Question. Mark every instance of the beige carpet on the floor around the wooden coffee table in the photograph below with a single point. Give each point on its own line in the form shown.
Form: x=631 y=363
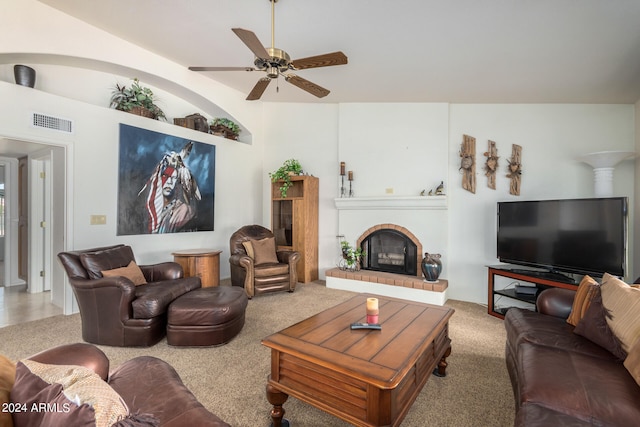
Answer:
x=230 y=380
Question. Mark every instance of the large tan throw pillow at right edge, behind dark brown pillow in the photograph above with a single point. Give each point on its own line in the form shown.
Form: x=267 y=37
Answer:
x=623 y=304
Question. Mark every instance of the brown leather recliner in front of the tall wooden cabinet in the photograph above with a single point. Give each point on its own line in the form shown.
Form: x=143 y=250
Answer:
x=263 y=272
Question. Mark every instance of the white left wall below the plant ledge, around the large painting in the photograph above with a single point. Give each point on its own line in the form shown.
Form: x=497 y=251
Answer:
x=92 y=169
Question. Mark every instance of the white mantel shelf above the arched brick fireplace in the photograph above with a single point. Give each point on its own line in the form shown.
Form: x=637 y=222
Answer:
x=391 y=202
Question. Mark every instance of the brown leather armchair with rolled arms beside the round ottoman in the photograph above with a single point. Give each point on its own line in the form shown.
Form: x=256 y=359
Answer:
x=113 y=310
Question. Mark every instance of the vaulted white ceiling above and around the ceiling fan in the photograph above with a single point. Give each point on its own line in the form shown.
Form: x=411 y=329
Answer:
x=460 y=51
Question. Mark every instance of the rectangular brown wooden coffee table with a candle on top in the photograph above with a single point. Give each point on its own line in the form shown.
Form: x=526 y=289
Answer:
x=365 y=377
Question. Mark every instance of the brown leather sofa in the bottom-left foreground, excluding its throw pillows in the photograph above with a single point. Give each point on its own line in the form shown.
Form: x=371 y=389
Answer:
x=150 y=387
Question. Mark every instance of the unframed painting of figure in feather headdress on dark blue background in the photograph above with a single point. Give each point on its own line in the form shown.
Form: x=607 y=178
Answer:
x=166 y=184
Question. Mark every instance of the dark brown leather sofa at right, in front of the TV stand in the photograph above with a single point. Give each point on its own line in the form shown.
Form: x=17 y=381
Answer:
x=561 y=378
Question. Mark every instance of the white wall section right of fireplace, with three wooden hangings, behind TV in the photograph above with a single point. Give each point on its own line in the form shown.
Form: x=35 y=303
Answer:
x=552 y=137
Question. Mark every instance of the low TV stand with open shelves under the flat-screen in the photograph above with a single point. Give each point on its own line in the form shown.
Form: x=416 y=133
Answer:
x=530 y=300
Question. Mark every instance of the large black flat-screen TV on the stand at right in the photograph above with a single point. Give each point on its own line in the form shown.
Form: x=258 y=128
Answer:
x=580 y=236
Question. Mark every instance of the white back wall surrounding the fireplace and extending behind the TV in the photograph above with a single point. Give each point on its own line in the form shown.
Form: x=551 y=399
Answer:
x=425 y=147
